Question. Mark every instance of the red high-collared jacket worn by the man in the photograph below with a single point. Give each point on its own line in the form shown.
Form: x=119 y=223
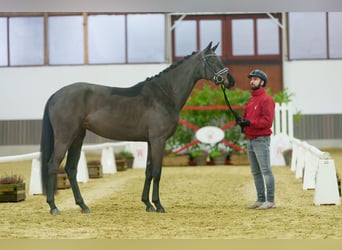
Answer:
x=260 y=112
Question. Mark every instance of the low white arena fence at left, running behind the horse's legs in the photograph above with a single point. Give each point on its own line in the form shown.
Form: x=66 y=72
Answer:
x=139 y=150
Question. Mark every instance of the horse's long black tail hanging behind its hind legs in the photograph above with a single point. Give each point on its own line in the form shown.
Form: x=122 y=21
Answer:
x=46 y=145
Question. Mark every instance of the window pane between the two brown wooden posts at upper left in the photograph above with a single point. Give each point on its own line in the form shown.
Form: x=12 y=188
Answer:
x=66 y=45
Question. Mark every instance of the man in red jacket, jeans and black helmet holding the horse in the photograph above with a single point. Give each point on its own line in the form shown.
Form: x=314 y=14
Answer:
x=256 y=123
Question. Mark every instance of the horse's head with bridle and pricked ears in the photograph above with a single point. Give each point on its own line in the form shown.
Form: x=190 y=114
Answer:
x=218 y=73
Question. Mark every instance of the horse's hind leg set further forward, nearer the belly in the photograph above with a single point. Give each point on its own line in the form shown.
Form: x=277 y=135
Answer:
x=74 y=153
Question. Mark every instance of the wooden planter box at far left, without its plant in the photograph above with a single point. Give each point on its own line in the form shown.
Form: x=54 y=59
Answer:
x=12 y=192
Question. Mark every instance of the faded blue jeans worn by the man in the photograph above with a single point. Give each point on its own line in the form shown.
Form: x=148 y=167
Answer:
x=259 y=159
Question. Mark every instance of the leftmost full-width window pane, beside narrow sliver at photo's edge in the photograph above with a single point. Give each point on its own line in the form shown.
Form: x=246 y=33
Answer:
x=26 y=36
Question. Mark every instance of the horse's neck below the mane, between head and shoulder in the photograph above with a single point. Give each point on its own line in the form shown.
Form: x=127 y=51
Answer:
x=181 y=80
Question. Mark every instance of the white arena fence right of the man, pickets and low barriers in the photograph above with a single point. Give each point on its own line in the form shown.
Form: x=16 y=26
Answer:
x=315 y=167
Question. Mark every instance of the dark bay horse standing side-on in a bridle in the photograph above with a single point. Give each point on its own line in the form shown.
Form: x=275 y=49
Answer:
x=146 y=112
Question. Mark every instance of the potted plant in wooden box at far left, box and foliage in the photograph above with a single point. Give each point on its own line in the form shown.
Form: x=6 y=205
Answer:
x=12 y=188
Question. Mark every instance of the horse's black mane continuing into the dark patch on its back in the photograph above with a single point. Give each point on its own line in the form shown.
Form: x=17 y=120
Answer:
x=135 y=90
